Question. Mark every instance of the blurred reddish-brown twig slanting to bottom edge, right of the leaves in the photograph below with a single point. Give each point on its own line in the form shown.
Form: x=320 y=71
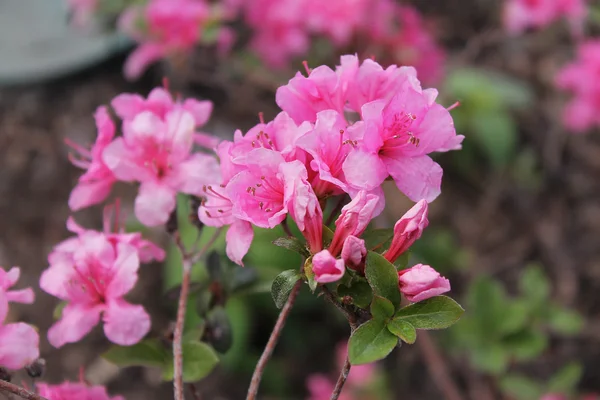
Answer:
x=437 y=367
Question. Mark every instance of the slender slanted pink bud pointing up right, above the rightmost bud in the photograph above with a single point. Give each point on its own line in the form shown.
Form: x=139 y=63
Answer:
x=407 y=230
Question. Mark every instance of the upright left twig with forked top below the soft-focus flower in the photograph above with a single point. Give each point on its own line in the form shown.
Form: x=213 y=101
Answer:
x=188 y=260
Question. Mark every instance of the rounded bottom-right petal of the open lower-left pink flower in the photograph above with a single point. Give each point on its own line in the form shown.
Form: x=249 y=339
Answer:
x=125 y=324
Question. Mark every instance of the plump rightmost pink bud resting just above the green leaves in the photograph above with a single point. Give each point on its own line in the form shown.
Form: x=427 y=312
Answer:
x=422 y=282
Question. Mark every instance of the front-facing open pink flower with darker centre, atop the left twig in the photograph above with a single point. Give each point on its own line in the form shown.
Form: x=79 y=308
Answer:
x=156 y=153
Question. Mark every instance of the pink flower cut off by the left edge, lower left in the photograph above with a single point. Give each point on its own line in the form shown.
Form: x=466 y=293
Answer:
x=19 y=342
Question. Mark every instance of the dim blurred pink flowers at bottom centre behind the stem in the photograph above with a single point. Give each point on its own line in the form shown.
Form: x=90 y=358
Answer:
x=321 y=386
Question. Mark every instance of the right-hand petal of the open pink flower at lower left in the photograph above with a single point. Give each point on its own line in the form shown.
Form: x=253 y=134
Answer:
x=125 y=271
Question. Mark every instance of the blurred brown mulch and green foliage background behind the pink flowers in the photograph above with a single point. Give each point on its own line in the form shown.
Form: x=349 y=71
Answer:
x=516 y=228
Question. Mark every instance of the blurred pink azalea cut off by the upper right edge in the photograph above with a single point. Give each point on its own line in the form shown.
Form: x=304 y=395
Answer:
x=579 y=78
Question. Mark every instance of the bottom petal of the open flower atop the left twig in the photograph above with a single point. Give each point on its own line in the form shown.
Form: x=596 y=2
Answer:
x=154 y=203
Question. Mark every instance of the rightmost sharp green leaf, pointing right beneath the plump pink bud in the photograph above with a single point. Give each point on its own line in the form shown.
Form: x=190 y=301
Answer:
x=435 y=313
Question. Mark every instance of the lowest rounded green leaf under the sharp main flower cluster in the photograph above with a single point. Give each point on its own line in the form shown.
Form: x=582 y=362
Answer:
x=370 y=342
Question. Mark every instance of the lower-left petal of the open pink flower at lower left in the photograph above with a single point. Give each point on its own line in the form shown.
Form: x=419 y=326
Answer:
x=77 y=321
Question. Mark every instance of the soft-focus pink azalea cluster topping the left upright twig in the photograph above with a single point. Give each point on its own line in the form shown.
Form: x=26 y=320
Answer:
x=155 y=150
